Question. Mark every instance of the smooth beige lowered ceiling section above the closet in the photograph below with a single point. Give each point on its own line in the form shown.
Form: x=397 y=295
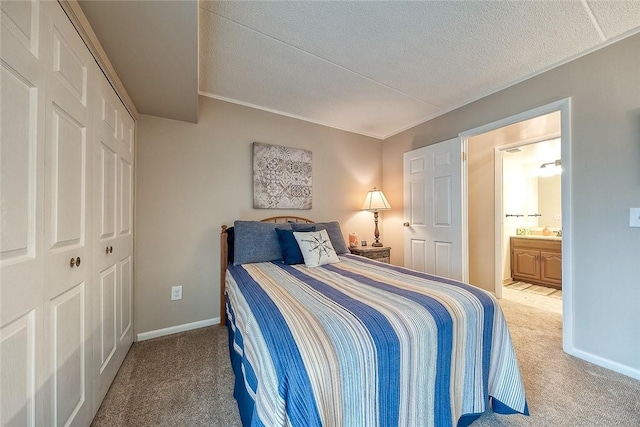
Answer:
x=153 y=47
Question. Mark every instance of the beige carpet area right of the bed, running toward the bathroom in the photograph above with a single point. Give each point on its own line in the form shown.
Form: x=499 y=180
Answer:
x=563 y=390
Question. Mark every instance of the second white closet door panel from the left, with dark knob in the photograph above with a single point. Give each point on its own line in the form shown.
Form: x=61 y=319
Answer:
x=68 y=181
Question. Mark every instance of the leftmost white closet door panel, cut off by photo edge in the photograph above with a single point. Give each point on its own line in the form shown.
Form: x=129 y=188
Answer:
x=22 y=213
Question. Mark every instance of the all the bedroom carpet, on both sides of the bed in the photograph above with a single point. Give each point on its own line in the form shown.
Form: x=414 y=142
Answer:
x=186 y=380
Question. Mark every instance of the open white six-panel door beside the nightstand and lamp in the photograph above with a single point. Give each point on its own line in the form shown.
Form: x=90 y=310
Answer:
x=433 y=209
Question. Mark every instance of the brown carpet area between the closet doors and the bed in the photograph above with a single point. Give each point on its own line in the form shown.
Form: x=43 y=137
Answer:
x=179 y=380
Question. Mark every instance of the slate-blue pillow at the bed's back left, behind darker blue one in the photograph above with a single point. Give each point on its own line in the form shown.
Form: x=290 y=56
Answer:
x=255 y=241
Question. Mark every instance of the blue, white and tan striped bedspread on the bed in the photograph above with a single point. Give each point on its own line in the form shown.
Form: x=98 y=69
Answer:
x=362 y=343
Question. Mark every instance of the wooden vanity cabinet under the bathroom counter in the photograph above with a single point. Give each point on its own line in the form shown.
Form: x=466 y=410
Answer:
x=537 y=261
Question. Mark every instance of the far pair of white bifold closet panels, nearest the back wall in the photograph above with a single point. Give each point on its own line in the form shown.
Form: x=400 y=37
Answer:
x=112 y=297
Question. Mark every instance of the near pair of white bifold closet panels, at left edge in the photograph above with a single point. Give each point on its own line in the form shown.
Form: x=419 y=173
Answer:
x=46 y=217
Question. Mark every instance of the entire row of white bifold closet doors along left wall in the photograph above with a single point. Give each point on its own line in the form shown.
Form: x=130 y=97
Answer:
x=66 y=204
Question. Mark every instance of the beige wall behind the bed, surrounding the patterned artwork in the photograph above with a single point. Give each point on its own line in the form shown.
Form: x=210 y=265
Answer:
x=192 y=178
